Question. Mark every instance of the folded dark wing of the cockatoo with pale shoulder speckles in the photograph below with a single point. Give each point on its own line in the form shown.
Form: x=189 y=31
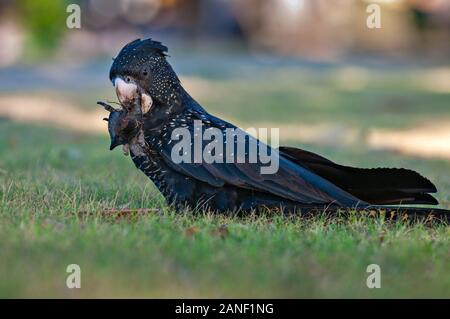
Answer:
x=290 y=181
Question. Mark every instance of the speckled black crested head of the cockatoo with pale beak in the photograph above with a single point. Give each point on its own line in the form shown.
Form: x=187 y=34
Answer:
x=141 y=71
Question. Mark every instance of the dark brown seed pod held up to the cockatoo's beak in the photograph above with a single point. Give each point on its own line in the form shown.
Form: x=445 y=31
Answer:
x=122 y=126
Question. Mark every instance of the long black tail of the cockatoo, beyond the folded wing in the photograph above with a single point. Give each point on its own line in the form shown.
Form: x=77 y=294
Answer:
x=378 y=186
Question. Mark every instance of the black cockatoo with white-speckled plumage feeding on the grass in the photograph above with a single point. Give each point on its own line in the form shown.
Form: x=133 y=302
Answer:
x=154 y=105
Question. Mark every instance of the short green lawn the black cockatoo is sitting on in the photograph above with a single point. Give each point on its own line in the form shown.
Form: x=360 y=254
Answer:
x=56 y=184
